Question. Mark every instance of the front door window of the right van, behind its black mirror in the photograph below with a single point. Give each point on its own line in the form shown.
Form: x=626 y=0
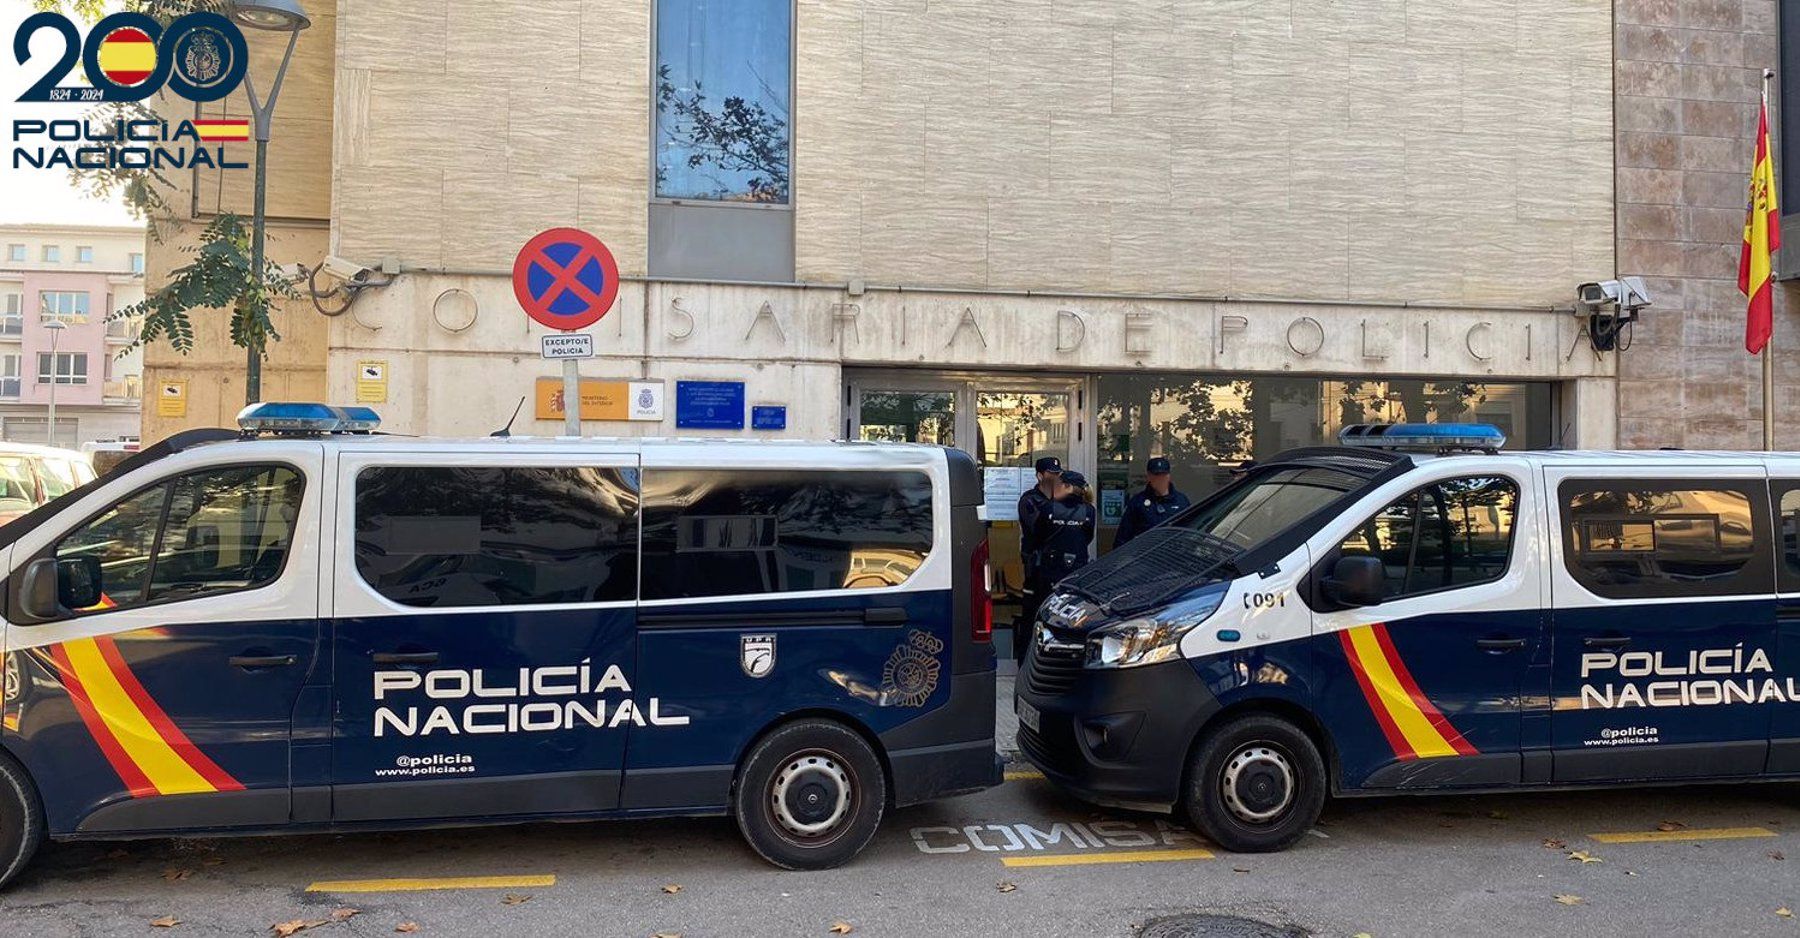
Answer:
x=1444 y=536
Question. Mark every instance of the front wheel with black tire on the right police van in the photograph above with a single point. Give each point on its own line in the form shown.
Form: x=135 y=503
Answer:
x=1255 y=786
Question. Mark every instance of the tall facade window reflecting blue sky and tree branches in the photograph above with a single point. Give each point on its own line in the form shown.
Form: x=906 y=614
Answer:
x=723 y=96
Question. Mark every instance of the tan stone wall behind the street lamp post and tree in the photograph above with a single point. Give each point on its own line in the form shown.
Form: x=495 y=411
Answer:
x=300 y=203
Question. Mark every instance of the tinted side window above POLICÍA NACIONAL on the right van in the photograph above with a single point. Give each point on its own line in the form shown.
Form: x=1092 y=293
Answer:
x=1662 y=539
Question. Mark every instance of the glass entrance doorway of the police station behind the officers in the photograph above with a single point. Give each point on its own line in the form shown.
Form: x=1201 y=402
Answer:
x=1007 y=422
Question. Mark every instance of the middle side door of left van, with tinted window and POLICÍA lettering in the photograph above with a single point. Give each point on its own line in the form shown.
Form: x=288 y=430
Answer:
x=483 y=633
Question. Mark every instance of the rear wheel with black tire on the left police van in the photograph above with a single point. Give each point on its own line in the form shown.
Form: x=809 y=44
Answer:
x=811 y=795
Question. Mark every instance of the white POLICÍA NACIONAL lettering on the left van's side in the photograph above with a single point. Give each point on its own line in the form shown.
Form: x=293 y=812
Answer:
x=507 y=703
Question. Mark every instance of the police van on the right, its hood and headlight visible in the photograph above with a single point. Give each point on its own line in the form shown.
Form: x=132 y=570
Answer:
x=1416 y=611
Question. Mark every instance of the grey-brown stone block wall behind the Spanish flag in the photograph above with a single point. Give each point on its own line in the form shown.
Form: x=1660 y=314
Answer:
x=1689 y=77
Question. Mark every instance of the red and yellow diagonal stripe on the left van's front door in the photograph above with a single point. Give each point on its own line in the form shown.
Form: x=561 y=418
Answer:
x=150 y=753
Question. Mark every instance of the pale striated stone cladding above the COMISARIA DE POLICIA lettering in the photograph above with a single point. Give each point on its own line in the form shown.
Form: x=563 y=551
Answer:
x=1457 y=150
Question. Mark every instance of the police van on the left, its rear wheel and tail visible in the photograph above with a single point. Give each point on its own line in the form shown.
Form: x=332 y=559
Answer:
x=310 y=627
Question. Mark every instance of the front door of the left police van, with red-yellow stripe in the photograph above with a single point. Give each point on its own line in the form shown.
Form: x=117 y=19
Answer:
x=166 y=703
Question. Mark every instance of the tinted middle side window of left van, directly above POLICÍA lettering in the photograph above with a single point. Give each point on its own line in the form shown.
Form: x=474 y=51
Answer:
x=487 y=536
